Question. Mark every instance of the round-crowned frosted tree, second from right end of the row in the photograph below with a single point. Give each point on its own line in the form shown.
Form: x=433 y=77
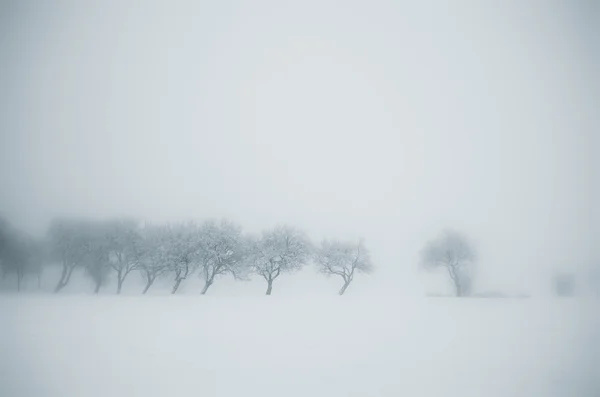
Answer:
x=281 y=250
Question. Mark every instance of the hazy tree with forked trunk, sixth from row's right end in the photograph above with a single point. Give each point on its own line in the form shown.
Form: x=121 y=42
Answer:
x=124 y=247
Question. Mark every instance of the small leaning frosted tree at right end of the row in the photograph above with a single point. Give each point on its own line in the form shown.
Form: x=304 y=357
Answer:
x=343 y=259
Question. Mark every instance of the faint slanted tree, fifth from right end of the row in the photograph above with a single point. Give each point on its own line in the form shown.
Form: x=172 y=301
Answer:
x=154 y=254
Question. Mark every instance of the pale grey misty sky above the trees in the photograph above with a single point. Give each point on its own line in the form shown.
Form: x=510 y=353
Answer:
x=379 y=119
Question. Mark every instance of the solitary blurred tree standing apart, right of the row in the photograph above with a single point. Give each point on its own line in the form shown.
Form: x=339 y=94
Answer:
x=451 y=250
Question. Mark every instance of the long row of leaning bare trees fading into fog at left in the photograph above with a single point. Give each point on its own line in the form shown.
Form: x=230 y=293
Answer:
x=177 y=250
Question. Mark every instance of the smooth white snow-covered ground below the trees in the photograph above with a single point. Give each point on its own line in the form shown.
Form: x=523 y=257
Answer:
x=109 y=346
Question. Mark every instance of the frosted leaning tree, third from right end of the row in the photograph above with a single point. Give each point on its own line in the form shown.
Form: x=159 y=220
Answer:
x=221 y=251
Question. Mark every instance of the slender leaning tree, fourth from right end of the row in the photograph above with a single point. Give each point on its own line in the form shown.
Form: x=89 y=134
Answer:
x=183 y=251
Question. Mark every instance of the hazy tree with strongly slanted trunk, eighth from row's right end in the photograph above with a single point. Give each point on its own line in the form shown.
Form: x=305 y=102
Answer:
x=66 y=242
